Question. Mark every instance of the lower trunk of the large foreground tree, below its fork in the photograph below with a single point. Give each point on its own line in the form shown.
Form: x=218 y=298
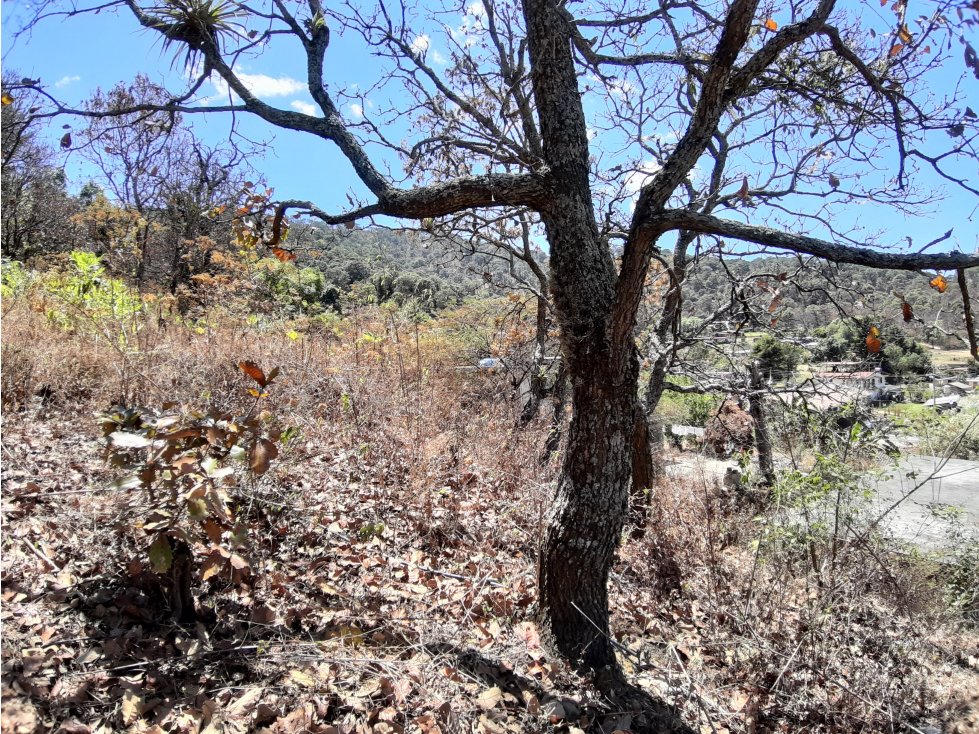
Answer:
x=585 y=522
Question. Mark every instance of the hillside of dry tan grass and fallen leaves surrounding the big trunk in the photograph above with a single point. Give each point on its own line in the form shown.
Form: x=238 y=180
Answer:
x=394 y=547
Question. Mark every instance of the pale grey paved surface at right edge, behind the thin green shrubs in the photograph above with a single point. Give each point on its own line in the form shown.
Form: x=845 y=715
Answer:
x=926 y=483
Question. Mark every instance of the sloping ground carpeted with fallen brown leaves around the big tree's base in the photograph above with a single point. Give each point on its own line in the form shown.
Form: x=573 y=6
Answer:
x=391 y=592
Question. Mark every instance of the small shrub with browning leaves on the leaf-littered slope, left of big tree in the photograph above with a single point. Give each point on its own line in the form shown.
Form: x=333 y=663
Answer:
x=189 y=466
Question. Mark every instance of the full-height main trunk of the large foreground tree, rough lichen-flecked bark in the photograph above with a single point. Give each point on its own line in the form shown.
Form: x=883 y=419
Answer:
x=592 y=494
